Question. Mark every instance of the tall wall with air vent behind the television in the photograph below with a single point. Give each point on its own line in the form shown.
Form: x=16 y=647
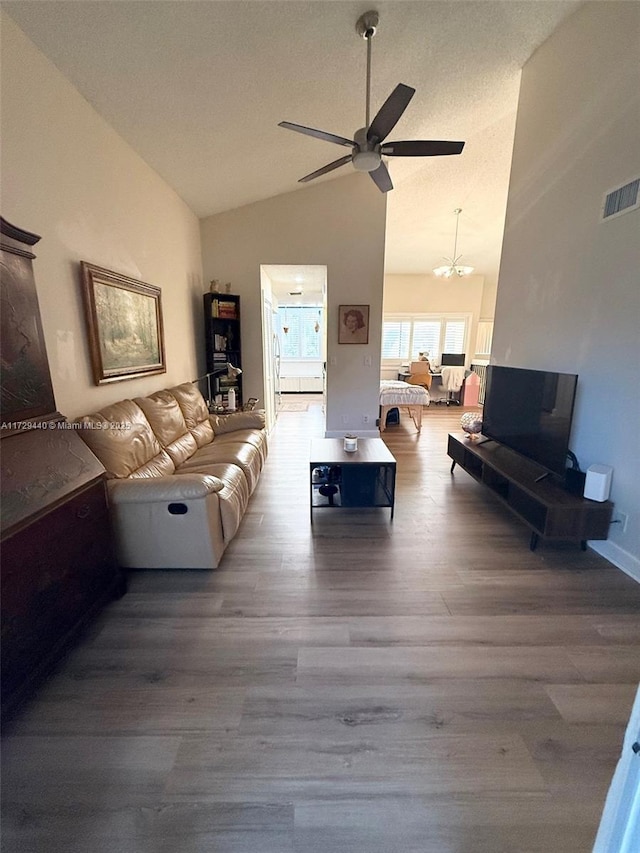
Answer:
x=569 y=286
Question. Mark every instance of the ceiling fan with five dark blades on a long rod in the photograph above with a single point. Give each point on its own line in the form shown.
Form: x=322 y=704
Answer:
x=367 y=145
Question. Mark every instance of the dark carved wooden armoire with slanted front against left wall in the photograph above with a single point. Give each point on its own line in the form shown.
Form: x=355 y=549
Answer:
x=57 y=560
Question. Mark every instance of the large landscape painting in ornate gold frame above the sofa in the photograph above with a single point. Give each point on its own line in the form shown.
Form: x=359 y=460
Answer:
x=124 y=325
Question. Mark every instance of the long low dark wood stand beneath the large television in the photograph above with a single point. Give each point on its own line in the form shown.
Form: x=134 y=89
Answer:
x=545 y=507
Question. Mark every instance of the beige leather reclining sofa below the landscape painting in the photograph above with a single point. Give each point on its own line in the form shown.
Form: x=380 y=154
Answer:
x=179 y=479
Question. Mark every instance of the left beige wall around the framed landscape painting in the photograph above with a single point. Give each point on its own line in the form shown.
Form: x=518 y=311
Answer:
x=67 y=176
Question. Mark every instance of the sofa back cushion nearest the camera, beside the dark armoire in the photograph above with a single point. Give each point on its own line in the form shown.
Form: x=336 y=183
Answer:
x=122 y=439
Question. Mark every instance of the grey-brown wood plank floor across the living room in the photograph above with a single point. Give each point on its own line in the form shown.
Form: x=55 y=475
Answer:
x=427 y=685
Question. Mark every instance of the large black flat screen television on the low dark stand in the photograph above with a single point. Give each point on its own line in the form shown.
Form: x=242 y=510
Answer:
x=530 y=411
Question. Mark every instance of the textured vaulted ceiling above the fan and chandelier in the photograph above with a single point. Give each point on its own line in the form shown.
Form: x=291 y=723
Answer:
x=198 y=89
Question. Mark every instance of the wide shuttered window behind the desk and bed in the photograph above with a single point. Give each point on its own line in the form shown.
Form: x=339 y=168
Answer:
x=405 y=336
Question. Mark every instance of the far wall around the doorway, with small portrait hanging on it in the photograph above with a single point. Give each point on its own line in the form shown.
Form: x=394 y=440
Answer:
x=339 y=224
